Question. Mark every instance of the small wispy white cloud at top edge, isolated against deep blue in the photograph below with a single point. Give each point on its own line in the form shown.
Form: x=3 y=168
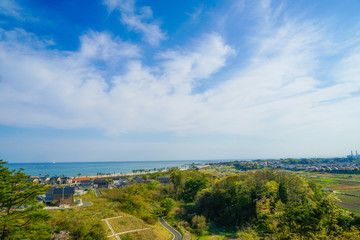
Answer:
x=139 y=20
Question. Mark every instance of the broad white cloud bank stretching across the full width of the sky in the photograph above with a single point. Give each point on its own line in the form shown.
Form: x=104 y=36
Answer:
x=283 y=96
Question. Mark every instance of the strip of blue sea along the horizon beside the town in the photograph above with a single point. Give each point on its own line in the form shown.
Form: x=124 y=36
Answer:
x=75 y=169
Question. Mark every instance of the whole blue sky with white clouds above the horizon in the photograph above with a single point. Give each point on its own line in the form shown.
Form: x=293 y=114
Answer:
x=136 y=80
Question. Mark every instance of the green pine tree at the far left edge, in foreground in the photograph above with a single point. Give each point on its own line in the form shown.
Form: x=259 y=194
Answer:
x=21 y=216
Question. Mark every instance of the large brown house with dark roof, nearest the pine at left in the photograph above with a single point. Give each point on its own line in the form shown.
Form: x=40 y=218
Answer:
x=60 y=196
